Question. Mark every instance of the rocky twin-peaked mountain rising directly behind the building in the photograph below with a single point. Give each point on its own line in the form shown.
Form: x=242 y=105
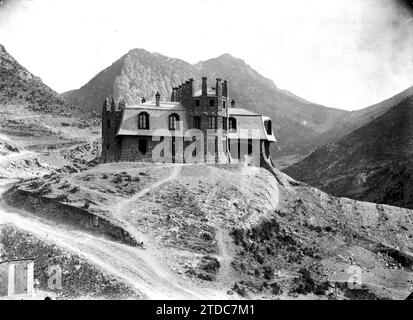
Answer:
x=140 y=73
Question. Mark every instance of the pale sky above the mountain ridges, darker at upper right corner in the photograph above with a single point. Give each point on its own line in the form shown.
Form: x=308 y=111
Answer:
x=340 y=53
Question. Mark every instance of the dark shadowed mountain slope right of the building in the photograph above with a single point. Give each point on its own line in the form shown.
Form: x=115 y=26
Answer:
x=373 y=163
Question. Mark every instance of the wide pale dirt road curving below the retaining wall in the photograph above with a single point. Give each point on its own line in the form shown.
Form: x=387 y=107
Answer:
x=136 y=267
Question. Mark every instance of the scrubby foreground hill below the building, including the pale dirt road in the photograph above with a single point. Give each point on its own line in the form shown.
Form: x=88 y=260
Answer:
x=224 y=232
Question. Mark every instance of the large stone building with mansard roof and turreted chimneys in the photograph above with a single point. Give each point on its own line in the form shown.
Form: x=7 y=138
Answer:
x=201 y=126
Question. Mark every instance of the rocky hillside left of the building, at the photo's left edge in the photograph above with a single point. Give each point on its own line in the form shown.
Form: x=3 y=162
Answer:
x=38 y=129
